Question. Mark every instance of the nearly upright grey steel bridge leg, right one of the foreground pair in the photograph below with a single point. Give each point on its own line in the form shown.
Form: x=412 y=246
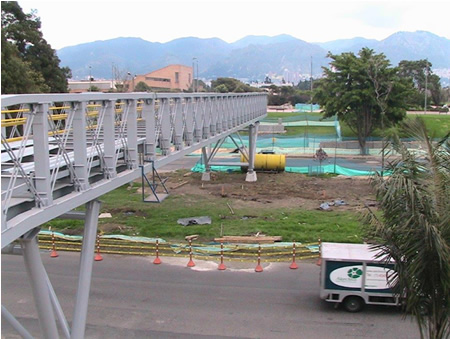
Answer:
x=86 y=262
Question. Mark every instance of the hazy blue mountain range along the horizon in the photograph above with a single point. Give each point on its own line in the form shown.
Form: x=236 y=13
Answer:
x=252 y=57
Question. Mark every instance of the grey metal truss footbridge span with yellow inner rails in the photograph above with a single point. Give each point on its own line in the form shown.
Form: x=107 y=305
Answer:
x=55 y=147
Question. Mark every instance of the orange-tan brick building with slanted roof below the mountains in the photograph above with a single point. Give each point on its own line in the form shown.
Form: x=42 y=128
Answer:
x=172 y=77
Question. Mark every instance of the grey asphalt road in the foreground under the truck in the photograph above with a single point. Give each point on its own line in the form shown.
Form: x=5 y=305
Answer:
x=132 y=298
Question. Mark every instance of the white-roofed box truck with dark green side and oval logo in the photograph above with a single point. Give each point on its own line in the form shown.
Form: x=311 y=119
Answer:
x=351 y=275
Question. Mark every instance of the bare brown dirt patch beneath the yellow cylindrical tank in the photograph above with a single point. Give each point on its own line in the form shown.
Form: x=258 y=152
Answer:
x=276 y=190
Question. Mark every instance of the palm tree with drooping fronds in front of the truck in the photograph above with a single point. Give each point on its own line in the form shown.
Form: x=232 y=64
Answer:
x=414 y=227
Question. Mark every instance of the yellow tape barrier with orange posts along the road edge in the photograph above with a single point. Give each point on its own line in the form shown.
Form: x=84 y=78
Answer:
x=122 y=245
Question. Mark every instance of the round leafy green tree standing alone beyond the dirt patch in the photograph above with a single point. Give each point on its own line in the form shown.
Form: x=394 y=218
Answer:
x=364 y=91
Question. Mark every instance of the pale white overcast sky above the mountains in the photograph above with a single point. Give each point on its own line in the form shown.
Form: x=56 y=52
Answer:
x=67 y=23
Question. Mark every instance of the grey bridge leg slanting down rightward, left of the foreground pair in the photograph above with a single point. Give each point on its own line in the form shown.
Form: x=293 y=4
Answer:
x=36 y=273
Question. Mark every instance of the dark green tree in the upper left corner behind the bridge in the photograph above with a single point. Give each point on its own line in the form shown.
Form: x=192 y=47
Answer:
x=29 y=64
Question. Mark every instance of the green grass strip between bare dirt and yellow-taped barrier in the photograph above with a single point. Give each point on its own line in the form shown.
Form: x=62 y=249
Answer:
x=131 y=216
